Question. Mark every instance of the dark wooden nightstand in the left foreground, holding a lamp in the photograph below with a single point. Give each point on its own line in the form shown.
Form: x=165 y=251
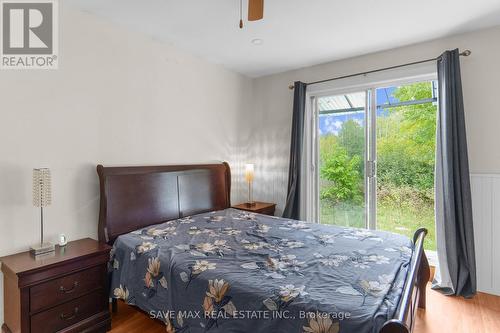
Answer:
x=66 y=291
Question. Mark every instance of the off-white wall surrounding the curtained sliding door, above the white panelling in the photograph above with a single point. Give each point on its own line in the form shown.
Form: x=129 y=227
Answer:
x=272 y=114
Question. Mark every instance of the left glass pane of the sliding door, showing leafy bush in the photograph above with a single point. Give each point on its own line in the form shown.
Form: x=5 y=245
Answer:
x=342 y=158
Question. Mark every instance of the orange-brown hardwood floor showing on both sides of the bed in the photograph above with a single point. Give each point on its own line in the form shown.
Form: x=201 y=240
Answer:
x=443 y=314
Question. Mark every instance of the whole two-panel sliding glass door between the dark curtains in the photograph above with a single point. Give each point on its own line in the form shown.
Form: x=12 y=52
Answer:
x=376 y=152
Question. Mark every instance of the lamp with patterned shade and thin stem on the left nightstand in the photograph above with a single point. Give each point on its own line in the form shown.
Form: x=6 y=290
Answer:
x=42 y=197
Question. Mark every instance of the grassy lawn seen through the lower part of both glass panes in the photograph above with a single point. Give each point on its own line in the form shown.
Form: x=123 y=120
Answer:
x=398 y=218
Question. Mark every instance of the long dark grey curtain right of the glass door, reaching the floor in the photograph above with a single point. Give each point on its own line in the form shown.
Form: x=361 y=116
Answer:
x=455 y=234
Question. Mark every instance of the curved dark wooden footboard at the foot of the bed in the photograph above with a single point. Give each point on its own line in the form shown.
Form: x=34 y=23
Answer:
x=413 y=295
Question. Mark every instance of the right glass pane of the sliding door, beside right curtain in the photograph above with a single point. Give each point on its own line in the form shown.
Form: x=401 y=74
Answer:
x=405 y=154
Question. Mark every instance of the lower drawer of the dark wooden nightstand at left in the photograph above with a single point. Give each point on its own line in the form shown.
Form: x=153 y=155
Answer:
x=67 y=314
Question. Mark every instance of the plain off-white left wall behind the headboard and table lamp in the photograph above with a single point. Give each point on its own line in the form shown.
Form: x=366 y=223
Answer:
x=118 y=98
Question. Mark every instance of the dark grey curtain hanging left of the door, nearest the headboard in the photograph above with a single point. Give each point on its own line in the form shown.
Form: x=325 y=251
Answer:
x=292 y=206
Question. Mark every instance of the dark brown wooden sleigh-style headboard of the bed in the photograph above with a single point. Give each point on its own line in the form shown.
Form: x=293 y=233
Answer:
x=139 y=196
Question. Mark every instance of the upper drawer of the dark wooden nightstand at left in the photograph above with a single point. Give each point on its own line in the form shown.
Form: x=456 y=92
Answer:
x=66 y=288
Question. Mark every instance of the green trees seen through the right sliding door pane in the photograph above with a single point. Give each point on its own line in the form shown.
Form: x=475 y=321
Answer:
x=406 y=140
